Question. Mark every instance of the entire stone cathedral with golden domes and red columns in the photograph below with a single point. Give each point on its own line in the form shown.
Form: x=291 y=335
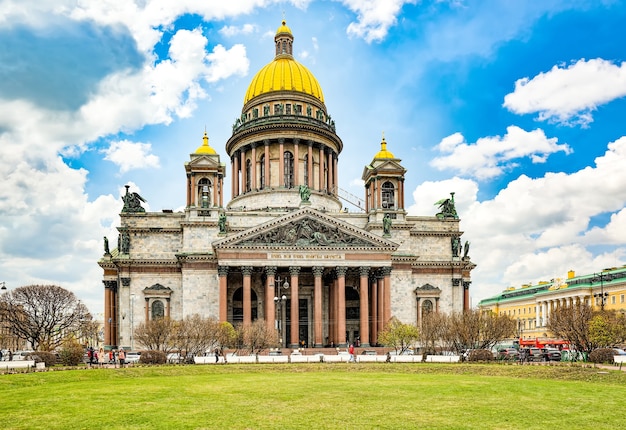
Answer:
x=284 y=250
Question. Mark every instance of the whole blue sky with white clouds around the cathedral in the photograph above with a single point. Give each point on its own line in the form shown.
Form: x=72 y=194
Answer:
x=518 y=107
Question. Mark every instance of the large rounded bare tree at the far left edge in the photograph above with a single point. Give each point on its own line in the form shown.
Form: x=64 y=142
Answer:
x=43 y=315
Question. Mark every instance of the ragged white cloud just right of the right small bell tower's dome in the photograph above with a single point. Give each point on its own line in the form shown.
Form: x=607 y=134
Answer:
x=490 y=156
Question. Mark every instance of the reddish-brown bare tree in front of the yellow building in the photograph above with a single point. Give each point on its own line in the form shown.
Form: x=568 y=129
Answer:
x=571 y=323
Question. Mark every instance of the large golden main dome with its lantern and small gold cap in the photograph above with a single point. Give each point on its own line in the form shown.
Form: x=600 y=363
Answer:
x=284 y=73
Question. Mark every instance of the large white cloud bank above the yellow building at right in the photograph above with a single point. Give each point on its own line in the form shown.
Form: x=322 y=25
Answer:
x=537 y=229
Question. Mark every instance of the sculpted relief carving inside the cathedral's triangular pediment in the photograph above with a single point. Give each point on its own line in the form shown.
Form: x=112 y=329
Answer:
x=306 y=232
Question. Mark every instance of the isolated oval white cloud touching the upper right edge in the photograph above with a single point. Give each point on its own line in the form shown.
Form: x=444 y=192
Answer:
x=569 y=94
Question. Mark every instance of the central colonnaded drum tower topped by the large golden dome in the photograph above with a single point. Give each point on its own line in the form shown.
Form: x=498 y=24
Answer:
x=284 y=139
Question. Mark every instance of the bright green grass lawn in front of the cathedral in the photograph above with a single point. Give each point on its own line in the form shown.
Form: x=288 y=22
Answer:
x=316 y=396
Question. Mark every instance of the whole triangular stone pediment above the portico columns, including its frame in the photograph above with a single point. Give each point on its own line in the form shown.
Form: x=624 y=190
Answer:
x=307 y=229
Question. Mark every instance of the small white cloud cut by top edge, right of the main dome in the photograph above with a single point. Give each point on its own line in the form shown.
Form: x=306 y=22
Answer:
x=374 y=17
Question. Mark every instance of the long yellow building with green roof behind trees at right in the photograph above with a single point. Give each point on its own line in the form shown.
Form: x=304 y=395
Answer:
x=531 y=305
